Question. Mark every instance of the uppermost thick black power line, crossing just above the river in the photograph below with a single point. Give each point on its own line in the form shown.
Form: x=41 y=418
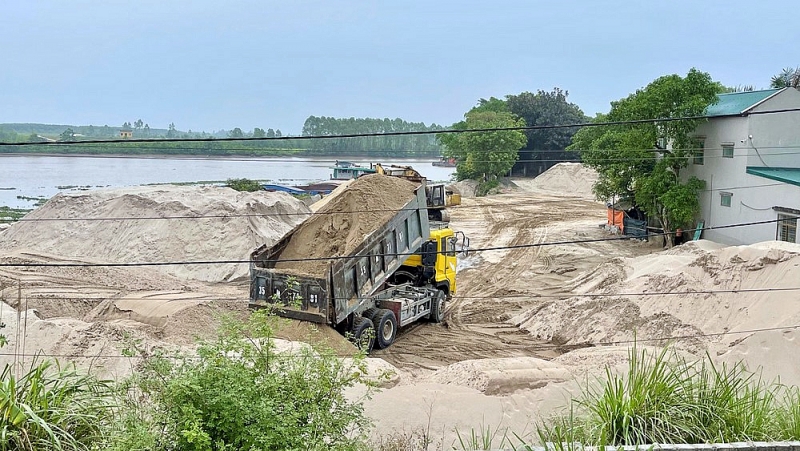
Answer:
x=403 y=133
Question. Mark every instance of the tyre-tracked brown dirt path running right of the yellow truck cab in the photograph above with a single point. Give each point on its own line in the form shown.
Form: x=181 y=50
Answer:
x=497 y=284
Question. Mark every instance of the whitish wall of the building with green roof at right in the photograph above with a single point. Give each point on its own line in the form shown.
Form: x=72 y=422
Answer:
x=752 y=197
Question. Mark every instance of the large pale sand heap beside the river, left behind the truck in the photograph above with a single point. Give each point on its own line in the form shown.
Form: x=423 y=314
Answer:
x=89 y=227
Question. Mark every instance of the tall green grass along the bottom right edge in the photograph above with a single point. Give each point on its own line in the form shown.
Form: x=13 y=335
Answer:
x=663 y=398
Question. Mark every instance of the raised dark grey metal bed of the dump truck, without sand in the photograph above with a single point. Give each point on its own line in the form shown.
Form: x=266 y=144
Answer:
x=347 y=280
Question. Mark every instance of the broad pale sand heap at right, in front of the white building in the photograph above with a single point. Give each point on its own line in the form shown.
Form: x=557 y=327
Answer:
x=717 y=274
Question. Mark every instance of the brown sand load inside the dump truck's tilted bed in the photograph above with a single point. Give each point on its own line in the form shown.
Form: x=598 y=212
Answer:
x=345 y=220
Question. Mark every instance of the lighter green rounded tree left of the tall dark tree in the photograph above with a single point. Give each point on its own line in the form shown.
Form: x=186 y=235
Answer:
x=484 y=156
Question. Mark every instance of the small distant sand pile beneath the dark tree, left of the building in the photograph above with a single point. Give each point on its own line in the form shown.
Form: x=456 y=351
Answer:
x=568 y=179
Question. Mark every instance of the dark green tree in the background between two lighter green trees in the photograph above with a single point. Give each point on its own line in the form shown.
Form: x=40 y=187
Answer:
x=545 y=146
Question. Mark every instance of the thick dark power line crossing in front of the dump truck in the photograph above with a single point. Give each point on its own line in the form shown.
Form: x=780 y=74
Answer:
x=399 y=254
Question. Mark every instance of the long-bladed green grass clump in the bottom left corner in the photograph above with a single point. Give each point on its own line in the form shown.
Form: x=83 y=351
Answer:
x=52 y=408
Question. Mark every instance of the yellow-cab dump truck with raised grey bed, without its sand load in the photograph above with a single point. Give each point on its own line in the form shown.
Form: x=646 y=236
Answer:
x=402 y=272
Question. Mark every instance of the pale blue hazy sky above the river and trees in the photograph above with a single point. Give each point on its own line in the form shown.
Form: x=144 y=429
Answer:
x=211 y=65
